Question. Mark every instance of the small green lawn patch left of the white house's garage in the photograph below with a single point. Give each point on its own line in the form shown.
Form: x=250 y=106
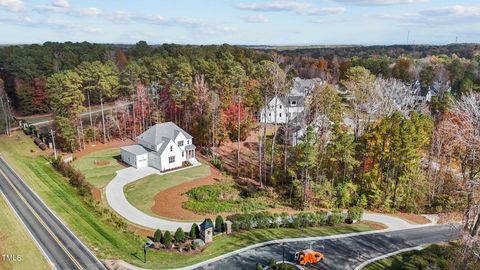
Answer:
x=99 y=167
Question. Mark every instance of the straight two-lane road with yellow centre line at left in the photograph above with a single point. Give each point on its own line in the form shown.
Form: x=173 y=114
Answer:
x=63 y=249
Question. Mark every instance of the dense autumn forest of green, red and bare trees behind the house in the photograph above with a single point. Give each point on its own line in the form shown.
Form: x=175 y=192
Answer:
x=392 y=154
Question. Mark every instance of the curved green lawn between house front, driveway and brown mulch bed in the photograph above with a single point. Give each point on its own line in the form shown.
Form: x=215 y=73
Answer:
x=141 y=193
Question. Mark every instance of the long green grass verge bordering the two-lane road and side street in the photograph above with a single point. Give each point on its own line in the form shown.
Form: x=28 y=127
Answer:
x=108 y=242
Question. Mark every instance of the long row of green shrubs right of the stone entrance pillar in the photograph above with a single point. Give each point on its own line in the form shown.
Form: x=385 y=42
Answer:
x=268 y=220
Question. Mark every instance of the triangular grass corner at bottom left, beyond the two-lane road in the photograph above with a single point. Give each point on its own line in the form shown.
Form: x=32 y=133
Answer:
x=15 y=240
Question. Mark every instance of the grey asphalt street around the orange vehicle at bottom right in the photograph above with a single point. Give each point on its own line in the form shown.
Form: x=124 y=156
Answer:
x=344 y=252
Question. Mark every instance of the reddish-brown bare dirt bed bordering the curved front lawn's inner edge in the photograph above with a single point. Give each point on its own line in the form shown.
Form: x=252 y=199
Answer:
x=168 y=203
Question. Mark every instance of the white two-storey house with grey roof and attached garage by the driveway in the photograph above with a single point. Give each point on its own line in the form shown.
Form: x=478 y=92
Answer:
x=163 y=146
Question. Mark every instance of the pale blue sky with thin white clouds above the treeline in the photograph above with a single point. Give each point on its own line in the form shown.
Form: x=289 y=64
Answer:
x=296 y=22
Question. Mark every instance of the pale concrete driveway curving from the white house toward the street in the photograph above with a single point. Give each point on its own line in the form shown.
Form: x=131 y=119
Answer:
x=118 y=202
